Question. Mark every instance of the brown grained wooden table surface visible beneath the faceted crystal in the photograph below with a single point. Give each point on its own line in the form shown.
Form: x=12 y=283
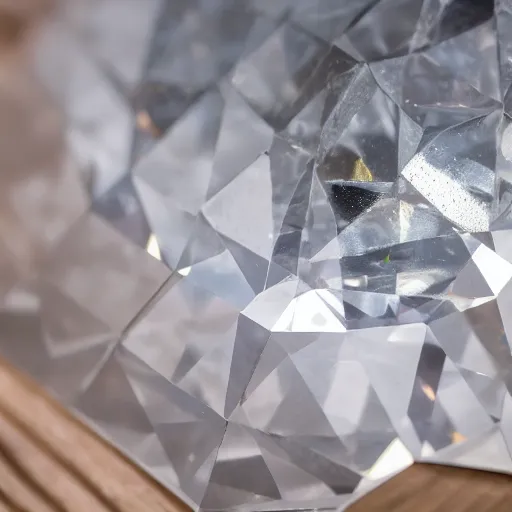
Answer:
x=49 y=462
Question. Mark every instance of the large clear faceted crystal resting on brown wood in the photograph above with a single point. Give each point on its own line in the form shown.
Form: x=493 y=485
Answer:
x=291 y=273
